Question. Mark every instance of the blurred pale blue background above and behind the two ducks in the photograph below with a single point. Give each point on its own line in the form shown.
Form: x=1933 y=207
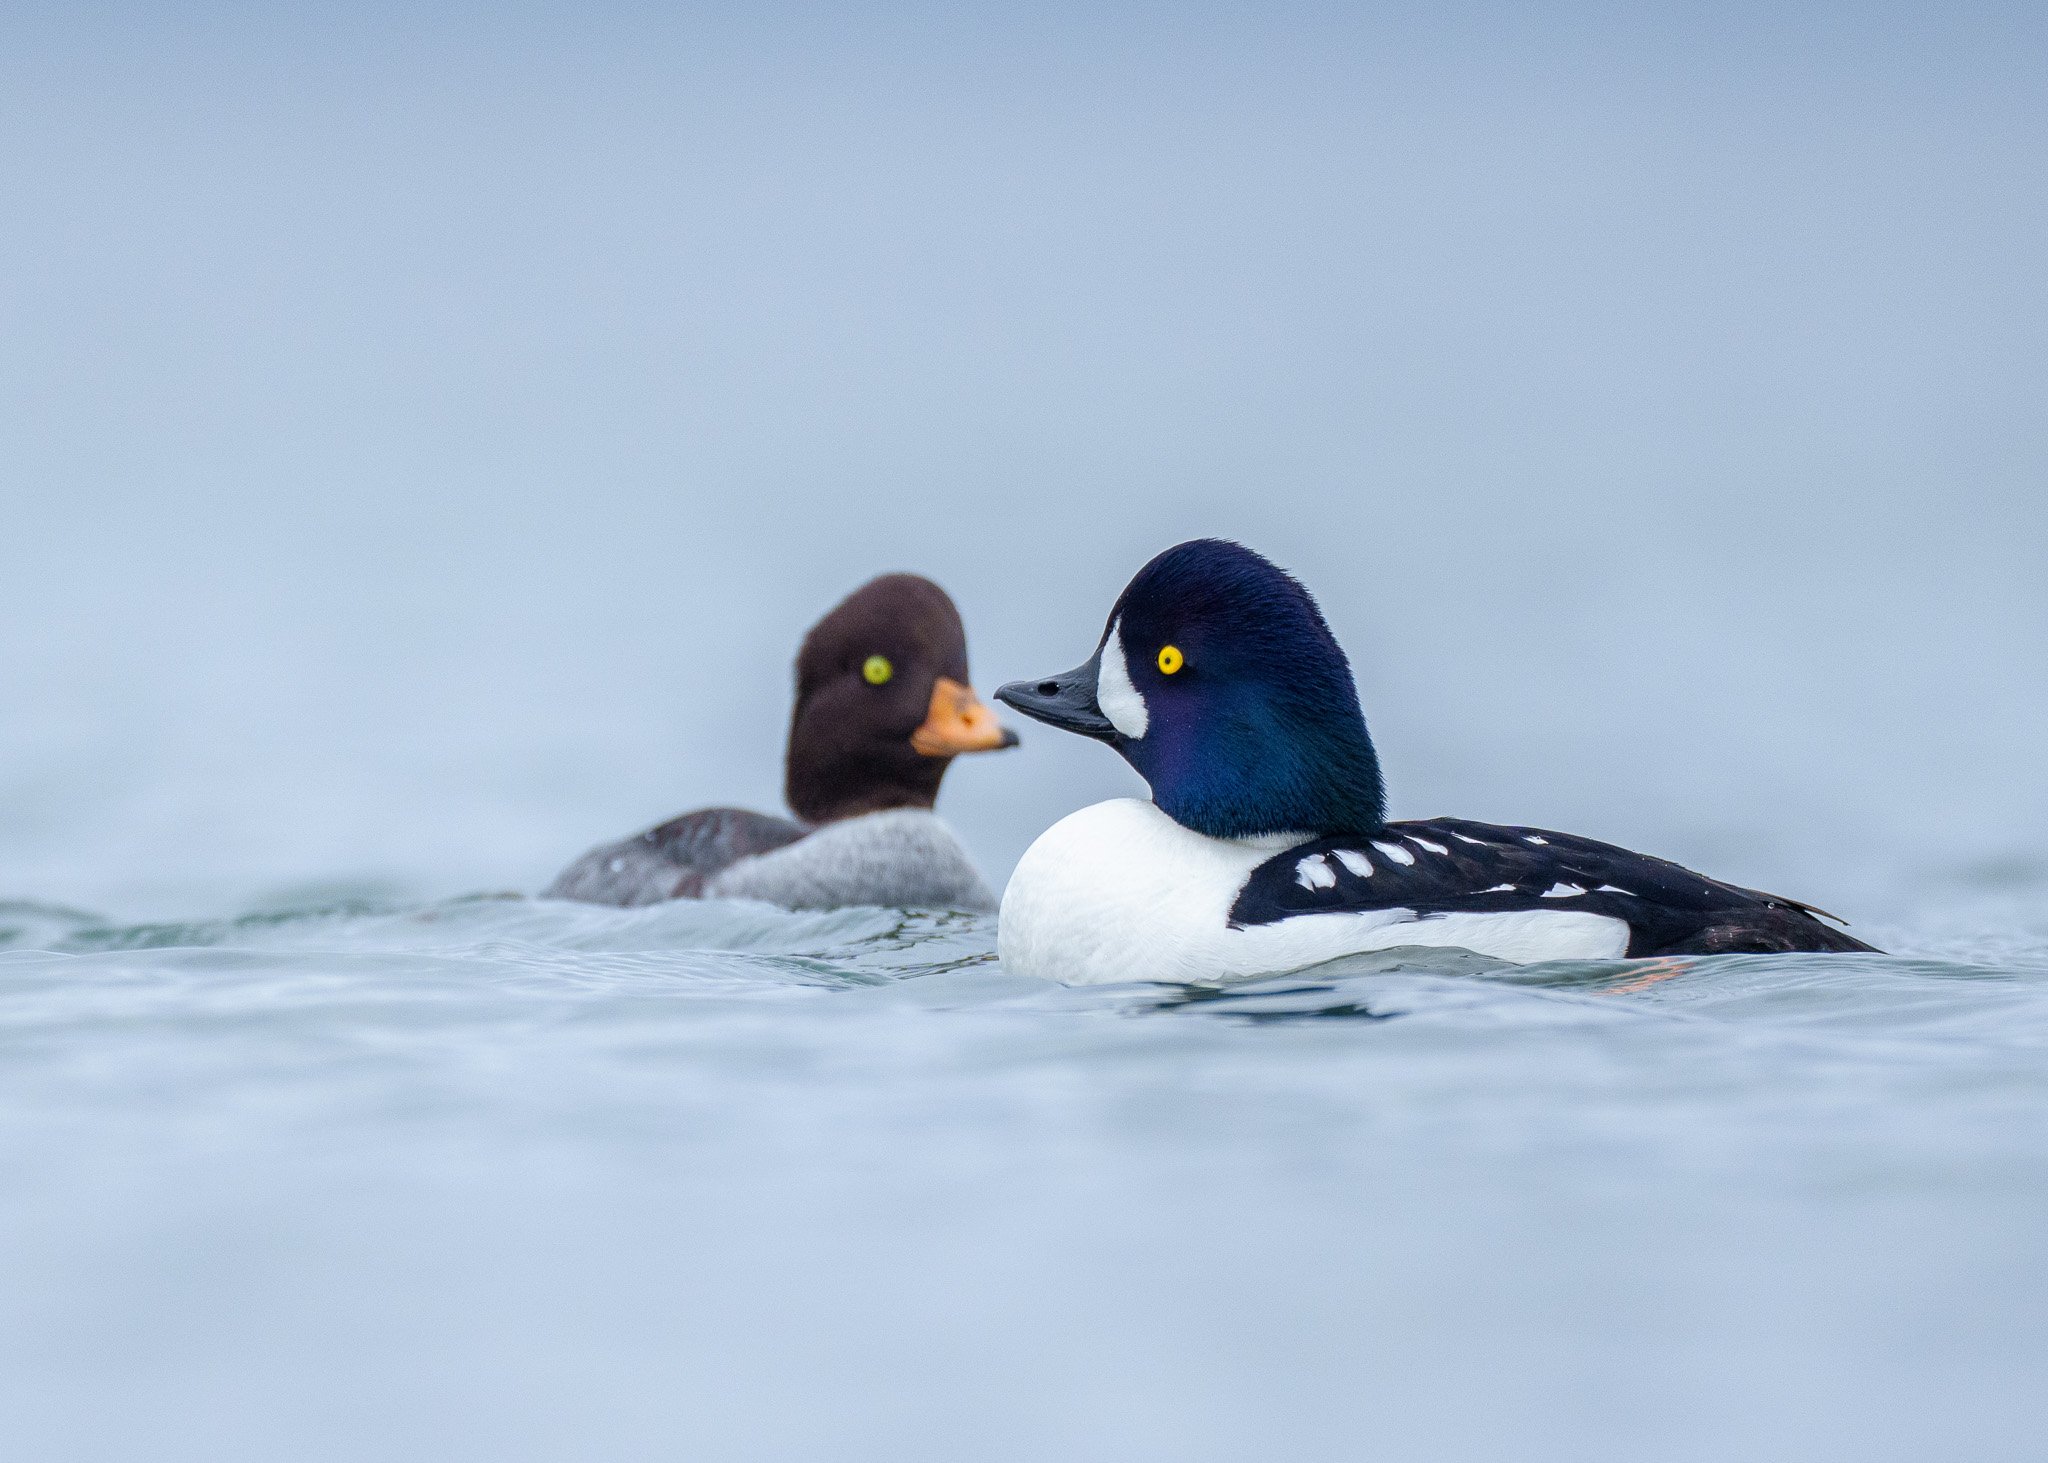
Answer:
x=427 y=440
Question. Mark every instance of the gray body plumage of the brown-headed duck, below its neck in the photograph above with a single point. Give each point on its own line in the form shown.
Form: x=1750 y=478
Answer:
x=902 y=858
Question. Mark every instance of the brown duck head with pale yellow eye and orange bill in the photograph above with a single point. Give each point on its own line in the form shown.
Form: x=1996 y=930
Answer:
x=884 y=704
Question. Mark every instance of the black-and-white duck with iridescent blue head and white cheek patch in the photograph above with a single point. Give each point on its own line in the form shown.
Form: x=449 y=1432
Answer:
x=1267 y=845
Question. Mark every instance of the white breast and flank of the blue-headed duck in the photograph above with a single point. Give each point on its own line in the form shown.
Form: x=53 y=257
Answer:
x=1119 y=892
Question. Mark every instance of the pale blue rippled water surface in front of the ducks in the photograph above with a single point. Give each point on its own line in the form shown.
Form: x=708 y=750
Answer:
x=519 y=1179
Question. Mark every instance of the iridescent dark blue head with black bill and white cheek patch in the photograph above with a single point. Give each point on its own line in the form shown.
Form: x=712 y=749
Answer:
x=1222 y=685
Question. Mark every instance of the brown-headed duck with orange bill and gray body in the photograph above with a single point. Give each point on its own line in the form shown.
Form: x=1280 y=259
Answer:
x=884 y=706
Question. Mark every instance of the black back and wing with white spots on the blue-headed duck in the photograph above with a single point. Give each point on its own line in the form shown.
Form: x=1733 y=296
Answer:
x=1443 y=866
